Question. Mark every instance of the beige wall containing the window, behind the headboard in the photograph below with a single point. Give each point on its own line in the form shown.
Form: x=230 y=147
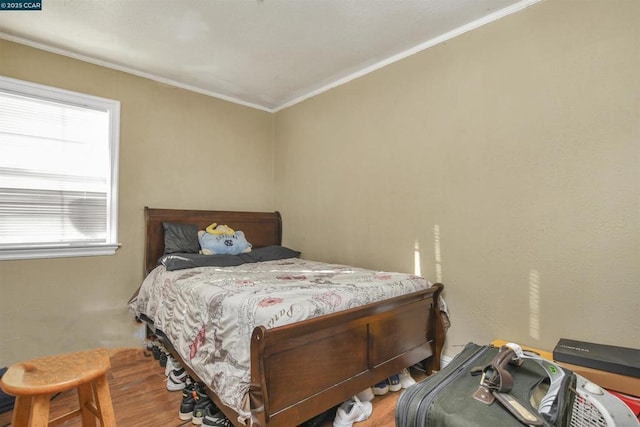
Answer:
x=178 y=149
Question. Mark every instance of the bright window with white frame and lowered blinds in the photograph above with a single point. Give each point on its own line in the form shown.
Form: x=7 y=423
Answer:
x=58 y=172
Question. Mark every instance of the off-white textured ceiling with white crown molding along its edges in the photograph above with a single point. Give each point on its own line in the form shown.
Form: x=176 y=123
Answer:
x=266 y=54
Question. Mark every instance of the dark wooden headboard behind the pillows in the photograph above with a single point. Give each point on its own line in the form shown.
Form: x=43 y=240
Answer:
x=260 y=228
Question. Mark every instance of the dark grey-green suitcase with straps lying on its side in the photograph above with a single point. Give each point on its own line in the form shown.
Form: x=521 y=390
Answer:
x=447 y=397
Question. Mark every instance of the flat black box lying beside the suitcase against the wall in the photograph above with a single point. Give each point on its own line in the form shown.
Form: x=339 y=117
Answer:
x=619 y=360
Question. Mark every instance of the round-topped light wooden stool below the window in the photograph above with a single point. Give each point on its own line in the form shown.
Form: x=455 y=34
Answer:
x=34 y=382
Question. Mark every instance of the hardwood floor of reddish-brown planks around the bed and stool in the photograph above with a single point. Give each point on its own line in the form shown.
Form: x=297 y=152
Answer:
x=140 y=397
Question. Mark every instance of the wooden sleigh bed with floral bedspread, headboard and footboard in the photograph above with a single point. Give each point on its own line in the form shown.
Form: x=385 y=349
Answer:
x=295 y=369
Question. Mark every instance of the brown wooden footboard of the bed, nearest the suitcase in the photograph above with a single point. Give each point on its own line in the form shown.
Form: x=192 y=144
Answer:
x=300 y=370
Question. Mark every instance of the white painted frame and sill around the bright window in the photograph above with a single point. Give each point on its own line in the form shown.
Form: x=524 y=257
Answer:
x=88 y=101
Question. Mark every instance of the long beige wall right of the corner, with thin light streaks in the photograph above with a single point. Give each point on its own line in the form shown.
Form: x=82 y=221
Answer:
x=511 y=151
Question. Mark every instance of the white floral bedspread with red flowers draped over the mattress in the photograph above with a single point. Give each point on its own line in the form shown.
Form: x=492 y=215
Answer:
x=209 y=313
